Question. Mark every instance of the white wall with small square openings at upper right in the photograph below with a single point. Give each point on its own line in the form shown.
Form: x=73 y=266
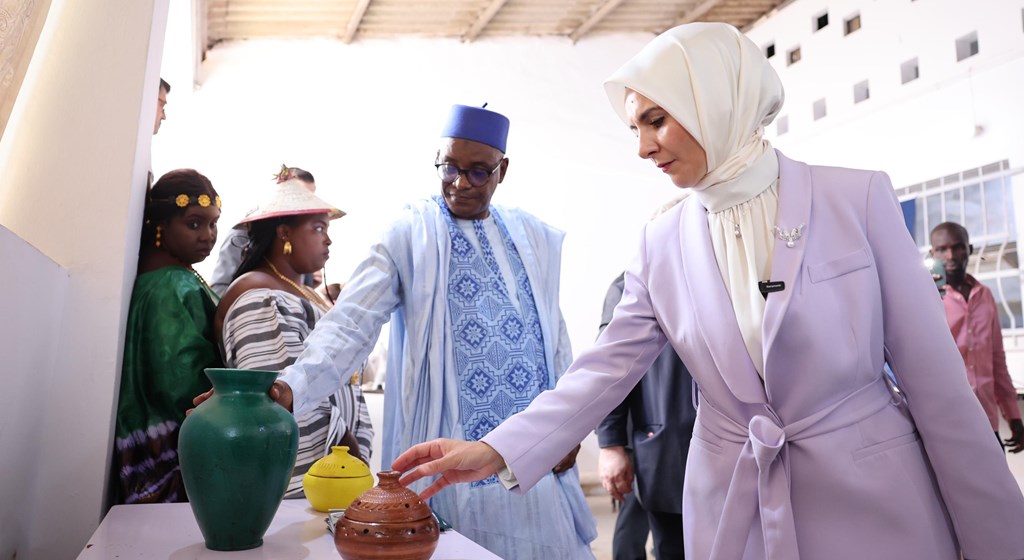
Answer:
x=918 y=132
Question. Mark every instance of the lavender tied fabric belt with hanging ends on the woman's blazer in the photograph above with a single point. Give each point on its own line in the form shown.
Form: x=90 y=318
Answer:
x=761 y=480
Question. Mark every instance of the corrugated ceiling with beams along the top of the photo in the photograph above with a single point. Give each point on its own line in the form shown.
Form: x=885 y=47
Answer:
x=467 y=20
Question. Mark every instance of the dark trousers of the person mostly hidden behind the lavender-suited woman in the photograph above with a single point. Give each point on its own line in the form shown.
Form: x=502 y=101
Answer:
x=633 y=525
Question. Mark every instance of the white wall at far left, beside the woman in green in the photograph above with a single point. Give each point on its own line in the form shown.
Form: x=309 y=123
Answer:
x=74 y=160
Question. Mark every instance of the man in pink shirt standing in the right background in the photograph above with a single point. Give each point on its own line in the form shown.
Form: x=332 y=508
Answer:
x=974 y=321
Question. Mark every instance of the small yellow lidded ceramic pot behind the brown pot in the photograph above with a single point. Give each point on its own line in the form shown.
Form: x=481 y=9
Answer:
x=334 y=482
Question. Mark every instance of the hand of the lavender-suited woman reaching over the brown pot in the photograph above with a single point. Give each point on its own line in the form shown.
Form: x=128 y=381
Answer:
x=454 y=461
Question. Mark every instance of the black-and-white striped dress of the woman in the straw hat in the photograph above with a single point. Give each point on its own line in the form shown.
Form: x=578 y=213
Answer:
x=265 y=330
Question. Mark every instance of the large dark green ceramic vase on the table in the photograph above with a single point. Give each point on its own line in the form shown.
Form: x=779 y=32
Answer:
x=237 y=453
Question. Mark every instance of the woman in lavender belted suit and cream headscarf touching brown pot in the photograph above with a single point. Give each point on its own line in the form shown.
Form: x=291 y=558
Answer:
x=785 y=288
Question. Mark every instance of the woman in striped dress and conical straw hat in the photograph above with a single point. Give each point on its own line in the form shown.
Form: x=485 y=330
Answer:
x=267 y=314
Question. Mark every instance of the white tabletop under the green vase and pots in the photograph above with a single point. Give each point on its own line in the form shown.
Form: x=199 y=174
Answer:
x=169 y=532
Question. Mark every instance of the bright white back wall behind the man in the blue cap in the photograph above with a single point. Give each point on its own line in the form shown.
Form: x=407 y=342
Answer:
x=365 y=119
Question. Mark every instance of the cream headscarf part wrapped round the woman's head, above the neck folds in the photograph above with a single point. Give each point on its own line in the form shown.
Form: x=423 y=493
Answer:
x=716 y=83
